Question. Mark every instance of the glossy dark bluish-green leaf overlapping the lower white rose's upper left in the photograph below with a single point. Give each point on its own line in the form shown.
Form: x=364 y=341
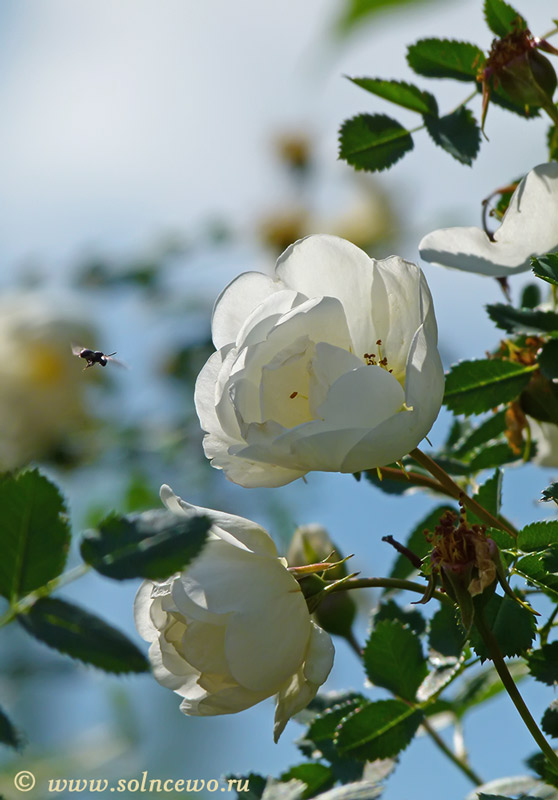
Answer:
x=153 y=545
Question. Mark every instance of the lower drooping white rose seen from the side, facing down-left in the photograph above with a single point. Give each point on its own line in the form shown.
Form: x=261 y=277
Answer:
x=234 y=627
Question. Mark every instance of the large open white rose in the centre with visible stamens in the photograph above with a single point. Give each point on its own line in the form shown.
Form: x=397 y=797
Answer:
x=332 y=364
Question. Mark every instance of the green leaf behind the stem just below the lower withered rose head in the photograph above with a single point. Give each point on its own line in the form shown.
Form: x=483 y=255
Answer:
x=512 y=625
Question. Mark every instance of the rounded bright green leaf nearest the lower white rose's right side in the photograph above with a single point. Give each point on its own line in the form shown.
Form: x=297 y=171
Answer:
x=393 y=659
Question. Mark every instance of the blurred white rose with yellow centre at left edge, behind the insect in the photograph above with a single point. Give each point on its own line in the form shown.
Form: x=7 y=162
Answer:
x=41 y=385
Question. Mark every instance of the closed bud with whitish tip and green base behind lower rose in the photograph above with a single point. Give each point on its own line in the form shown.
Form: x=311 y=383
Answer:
x=335 y=612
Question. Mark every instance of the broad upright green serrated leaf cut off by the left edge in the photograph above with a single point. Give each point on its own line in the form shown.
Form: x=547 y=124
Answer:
x=35 y=533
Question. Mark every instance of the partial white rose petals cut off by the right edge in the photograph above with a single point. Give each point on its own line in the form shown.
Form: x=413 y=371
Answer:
x=529 y=228
